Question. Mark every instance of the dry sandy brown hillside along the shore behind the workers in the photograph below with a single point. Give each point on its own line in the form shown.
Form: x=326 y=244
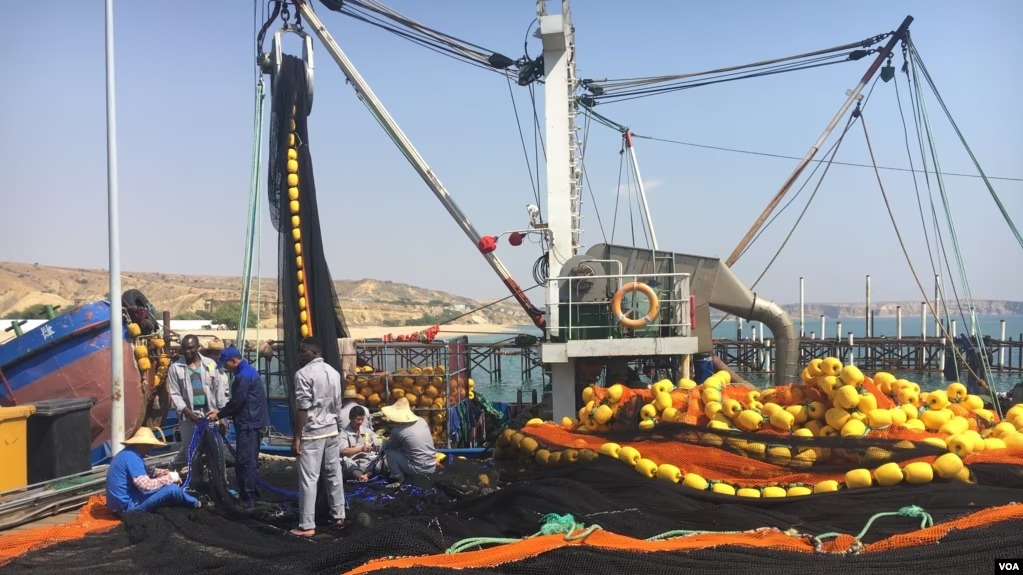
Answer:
x=367 y=302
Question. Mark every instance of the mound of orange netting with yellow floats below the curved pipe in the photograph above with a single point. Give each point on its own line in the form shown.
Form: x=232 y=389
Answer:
x=837 y=426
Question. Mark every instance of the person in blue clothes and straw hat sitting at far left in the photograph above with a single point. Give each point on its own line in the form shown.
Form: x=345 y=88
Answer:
x=132 y=488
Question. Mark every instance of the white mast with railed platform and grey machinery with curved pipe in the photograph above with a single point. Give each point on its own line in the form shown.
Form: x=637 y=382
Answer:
x=596 y=321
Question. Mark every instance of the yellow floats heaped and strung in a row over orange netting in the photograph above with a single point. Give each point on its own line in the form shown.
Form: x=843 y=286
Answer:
x=834 y=401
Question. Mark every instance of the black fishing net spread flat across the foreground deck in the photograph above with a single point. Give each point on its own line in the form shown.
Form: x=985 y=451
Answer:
x=471 y=499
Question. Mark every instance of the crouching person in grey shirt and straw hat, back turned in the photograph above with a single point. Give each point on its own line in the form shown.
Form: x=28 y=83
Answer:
x=410 y=450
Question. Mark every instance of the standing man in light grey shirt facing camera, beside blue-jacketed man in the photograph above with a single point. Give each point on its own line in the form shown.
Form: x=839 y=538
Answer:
x=196 y=390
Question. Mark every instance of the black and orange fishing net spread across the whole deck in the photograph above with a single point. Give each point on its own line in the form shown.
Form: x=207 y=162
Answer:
x=567 y=499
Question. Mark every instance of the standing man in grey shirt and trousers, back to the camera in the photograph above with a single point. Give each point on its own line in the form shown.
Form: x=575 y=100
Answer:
x=318 y=446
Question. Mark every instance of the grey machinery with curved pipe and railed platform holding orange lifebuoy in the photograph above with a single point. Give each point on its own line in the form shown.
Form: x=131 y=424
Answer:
x=606 y=321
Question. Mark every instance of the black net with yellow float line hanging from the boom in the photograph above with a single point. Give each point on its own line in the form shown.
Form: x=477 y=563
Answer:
x=291 y=205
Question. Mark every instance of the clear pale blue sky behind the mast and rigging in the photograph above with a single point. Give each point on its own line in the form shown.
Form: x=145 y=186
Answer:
x=186 y=87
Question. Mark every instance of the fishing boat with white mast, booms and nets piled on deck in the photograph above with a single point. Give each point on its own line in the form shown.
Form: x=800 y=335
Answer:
x=697 y=473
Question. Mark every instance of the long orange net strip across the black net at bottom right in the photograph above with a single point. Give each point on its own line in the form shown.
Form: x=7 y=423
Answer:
x=764 y=539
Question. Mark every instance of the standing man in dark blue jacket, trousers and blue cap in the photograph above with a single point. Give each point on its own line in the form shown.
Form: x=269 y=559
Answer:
x=248 y=409
